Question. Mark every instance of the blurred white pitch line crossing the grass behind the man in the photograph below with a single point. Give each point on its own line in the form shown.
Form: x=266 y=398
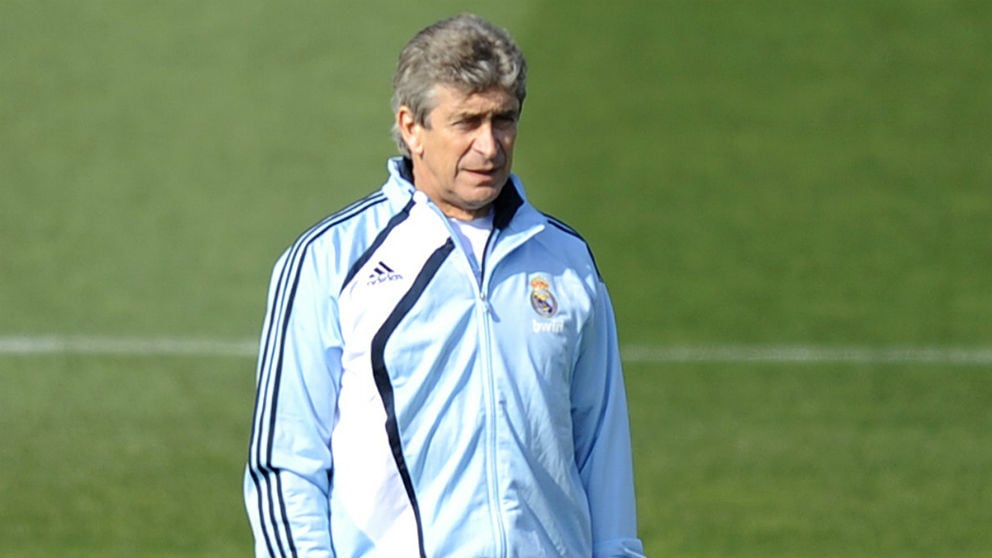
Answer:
x=173 y=346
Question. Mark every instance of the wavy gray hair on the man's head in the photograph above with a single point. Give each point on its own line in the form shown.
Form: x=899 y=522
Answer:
x=466 y=52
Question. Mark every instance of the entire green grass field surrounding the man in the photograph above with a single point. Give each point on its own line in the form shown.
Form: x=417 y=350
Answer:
x=755 y=175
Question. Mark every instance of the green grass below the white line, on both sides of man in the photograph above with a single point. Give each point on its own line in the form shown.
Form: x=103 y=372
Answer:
x=135 y=456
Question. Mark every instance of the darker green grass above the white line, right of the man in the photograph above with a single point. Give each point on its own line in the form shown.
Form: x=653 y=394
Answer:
x=774 y=172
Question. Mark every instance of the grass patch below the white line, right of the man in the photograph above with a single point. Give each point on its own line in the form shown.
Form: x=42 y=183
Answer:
x=765 y=461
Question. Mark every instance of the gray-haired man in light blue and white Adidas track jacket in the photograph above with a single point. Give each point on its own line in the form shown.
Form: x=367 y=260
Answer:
x=439 y=373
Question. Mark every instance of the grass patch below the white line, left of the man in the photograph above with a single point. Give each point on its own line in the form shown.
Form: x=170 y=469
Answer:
x=124 y=456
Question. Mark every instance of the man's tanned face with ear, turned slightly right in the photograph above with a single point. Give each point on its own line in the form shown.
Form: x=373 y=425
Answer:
x=462 y=155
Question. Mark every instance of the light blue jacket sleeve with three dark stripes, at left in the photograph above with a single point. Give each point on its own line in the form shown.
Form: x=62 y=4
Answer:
x=287 y=476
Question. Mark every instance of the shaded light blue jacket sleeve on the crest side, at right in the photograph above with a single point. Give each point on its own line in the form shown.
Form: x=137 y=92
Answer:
x=602 y=436
